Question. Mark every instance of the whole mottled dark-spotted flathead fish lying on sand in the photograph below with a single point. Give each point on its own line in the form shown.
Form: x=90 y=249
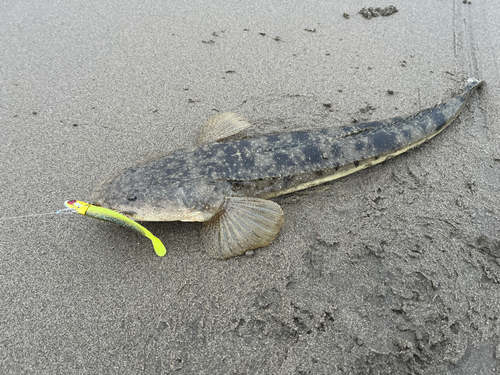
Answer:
x=226 y=184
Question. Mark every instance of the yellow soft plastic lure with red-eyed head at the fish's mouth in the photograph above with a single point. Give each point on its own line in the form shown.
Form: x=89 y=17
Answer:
x=106 y=214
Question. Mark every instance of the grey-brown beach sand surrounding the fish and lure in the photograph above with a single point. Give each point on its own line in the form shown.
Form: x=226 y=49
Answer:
x=395 y=269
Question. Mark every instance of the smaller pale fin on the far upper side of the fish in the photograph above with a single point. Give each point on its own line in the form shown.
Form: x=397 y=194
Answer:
x=221 y=126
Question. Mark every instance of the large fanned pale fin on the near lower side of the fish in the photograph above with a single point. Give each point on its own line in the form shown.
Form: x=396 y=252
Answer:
x=240 y=225
